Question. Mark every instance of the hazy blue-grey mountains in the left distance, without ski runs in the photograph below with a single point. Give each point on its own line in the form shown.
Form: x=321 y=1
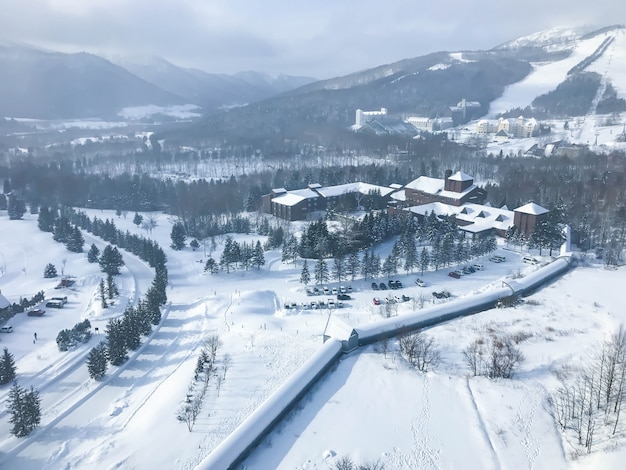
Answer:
x=42 y=84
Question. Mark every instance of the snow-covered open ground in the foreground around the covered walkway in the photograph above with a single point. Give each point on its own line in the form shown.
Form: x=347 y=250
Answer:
x=373 y=406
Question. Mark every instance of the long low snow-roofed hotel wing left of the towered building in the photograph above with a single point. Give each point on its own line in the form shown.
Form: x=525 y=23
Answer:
x=300 y=203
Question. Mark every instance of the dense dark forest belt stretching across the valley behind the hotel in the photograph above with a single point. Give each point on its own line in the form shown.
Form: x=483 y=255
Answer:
x=589 y=189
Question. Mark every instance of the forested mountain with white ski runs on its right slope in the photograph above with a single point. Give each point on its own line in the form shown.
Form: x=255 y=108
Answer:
x=556 y=73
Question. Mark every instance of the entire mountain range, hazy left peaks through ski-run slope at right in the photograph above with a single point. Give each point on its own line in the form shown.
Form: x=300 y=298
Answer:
x=555 y=73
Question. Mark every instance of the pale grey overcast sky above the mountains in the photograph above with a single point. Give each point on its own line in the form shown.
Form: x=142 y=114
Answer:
x=321 y=39
